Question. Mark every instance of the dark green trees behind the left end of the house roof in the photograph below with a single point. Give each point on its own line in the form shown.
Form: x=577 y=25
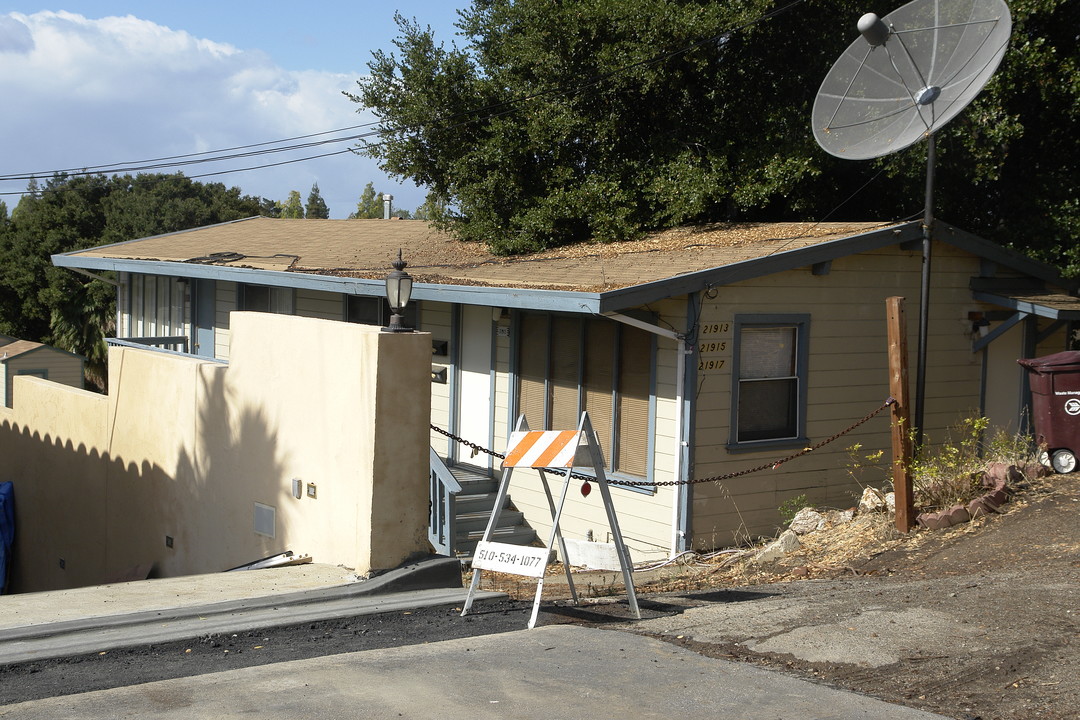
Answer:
x=42 y=303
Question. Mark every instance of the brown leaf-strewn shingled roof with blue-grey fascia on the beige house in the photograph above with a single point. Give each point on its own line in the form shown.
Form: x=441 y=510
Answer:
x=355 y=256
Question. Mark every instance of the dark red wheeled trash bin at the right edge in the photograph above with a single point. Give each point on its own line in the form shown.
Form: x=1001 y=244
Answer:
x=1056 y=407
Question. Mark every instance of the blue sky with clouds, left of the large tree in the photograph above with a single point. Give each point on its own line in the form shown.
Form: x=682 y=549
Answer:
x=94 y=84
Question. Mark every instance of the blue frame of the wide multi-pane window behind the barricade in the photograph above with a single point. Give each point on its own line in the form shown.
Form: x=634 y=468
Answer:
x=607 y=434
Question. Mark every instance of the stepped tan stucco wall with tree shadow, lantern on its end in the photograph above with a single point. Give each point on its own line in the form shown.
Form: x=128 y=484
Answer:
x=185 y=449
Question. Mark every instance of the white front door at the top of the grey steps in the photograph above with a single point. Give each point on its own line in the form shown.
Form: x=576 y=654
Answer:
x=475 y=385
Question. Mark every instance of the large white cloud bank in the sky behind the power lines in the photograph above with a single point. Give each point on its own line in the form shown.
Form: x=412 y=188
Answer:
x=85 y=92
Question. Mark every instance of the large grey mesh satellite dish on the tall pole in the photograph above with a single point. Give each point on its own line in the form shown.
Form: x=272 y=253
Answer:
x=910 y=74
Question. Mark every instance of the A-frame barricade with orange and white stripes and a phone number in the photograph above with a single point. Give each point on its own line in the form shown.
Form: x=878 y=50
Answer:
x=548 y=452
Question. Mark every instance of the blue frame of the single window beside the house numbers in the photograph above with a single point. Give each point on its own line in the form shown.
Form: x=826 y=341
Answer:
x=802 y=324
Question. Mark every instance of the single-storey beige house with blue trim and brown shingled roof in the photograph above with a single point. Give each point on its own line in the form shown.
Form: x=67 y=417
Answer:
x=697 y=352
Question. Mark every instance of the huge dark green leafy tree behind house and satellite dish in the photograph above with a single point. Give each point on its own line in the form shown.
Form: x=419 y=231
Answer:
x=652 y=114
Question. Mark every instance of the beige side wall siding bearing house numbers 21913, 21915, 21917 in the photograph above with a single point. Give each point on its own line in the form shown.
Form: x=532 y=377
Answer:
x=847 y=379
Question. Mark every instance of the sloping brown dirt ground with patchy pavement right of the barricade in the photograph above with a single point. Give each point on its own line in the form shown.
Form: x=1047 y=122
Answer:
x=979 y=621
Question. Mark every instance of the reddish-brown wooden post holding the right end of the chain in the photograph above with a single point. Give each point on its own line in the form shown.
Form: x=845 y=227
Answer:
x=901 y=425
